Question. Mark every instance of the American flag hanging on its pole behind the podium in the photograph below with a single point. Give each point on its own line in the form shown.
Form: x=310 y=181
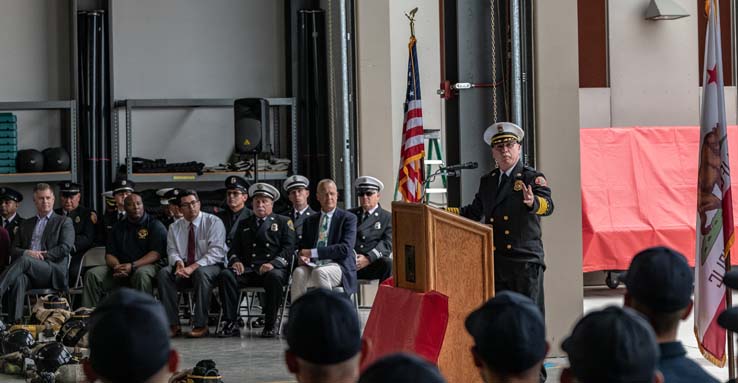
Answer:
x=410 y=179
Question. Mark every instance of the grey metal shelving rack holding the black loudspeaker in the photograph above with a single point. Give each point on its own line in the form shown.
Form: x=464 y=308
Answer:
x=131 y=104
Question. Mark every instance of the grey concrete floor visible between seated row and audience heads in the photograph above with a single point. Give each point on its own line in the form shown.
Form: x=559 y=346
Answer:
x=252 y=359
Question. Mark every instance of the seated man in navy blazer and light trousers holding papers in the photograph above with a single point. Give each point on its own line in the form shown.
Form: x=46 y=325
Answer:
x=326 y=255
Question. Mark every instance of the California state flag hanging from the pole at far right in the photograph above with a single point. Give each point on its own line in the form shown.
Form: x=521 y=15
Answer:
x=714 y=201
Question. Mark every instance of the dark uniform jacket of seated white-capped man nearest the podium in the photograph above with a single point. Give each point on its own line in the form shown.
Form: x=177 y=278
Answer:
x=374 y=235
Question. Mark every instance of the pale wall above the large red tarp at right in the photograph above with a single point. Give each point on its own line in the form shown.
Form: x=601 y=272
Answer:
x=654 y=73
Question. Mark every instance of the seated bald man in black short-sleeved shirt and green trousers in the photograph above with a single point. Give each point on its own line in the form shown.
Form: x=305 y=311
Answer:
x=132 y=256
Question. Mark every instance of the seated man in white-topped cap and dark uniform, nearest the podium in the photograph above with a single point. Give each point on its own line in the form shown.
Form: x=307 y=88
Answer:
x=373 y=233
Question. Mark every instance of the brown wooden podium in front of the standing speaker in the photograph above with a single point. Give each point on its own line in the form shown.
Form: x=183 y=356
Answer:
x=436 y=250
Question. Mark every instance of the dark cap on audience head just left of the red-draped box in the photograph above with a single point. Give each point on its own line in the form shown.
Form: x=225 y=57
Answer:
x=323 y=328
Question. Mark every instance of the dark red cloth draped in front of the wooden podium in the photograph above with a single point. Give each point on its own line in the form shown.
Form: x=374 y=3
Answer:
x=403 y=320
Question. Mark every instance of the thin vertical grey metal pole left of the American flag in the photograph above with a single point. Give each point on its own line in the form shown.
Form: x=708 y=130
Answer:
x=348 y=199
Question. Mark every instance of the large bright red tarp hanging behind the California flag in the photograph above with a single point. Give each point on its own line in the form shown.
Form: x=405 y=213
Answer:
x=639 y=189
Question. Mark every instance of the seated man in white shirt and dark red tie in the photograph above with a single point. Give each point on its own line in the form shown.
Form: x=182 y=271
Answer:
x=197 y=253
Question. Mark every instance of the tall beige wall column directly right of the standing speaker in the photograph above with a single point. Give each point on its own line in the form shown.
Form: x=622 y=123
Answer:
x=557 y=111
